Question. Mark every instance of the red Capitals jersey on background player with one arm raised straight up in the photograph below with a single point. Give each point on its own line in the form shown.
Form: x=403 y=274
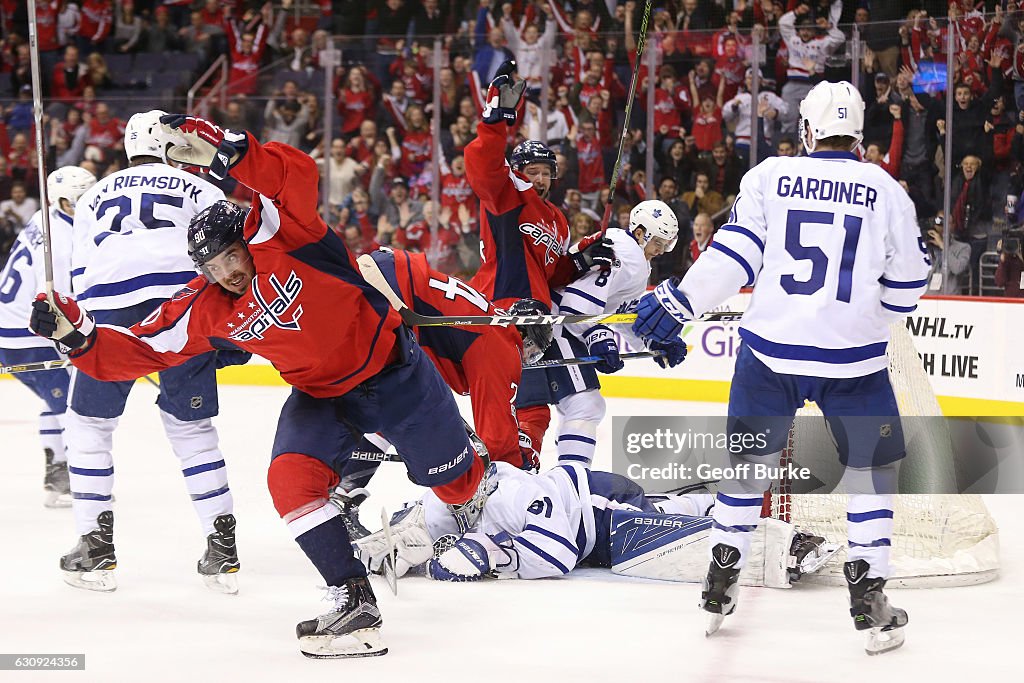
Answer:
x=524 y=238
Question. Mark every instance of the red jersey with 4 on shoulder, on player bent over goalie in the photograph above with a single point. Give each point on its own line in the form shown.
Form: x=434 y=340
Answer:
x=485 y=362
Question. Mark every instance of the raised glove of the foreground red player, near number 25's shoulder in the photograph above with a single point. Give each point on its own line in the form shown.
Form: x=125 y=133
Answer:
x=208 y=146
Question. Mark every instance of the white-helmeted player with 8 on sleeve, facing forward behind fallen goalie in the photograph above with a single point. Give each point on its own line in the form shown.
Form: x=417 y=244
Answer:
x=575 y=390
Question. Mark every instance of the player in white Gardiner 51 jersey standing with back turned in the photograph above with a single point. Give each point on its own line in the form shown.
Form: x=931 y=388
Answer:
x=833 y=250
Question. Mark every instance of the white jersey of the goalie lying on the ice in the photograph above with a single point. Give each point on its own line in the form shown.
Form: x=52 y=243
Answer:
x=550 y=518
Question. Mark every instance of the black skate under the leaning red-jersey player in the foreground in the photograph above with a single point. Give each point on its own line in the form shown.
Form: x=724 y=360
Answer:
x=351 y=630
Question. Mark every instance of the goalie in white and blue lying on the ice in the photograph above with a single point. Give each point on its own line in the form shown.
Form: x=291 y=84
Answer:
x=537 y=527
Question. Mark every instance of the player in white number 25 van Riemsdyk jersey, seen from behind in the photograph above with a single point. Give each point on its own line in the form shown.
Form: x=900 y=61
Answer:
x=130 y=255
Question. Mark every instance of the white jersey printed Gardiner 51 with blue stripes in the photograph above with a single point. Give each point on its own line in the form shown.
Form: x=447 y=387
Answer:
x=834 y=247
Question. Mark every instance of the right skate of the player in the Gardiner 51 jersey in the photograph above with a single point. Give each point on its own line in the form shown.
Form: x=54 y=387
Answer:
x=871 y=610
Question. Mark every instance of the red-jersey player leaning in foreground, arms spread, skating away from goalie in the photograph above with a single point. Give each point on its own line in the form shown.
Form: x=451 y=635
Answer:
x=279 y=283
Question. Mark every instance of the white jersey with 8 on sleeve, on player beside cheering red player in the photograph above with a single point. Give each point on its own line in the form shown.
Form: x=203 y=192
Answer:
x=615 y=292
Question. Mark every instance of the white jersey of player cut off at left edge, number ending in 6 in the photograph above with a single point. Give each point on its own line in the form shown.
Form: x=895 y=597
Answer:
x=24 y=278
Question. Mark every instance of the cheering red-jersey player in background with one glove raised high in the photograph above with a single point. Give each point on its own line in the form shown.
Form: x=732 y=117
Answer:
x=525 y=238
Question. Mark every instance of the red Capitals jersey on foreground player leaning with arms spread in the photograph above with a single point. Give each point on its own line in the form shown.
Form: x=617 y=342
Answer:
x=308 y=311
